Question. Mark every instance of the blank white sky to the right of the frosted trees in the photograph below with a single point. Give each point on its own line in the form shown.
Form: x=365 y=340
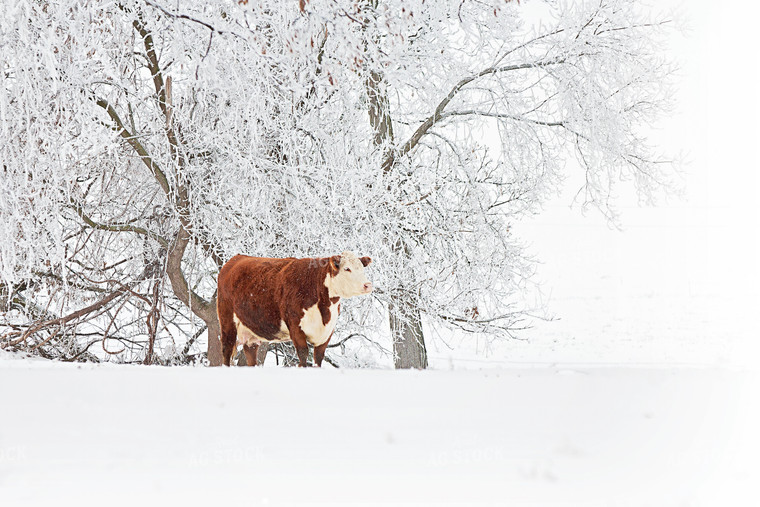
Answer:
x=680 y=282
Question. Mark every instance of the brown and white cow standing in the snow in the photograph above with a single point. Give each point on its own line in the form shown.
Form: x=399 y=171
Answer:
x=263 y=299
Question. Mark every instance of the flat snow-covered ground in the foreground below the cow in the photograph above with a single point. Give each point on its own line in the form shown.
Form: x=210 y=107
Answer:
x=559 y=435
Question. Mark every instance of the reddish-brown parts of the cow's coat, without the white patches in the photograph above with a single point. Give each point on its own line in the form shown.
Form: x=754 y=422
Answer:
x=263 y=292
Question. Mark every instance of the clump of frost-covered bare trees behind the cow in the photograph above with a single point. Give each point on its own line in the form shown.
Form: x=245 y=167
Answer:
x=144 y=143
